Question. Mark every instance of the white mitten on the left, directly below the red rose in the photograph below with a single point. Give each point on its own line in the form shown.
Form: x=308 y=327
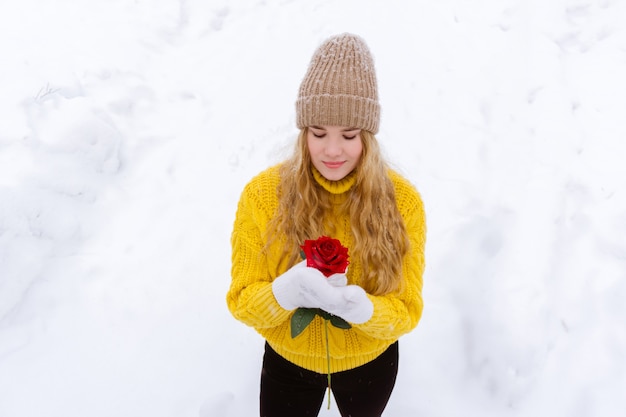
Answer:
x=301 y=286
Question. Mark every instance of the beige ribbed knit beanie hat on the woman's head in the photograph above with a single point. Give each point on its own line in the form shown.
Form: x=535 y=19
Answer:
x=339 y=88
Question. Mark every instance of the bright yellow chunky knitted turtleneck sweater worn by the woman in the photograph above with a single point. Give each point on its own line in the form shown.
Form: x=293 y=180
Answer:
x=250 y=298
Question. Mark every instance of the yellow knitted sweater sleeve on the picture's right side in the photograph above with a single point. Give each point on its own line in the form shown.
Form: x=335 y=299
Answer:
x=398 y=313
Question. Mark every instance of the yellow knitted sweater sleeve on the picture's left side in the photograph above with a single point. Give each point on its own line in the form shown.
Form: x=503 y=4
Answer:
x=250 y=298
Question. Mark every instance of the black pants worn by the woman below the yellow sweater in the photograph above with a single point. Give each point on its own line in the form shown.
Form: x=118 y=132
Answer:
x=288 y=390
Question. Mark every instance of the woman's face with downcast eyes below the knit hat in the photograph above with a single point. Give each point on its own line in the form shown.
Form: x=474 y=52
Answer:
x=335 y=150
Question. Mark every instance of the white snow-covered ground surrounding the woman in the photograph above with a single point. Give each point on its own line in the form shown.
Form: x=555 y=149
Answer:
x=129 y=128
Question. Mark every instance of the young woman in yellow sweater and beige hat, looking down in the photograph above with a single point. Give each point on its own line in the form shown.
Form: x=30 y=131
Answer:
x=336 y=184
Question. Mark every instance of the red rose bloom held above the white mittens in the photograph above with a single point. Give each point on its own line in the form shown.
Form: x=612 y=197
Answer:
x=326 y=255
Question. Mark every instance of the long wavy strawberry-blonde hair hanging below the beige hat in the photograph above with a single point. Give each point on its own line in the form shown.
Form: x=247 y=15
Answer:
x=380 y=237
